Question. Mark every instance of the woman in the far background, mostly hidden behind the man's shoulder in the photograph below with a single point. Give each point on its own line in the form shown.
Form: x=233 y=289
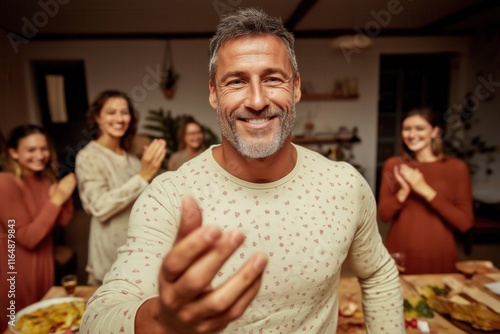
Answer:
x=190 y=138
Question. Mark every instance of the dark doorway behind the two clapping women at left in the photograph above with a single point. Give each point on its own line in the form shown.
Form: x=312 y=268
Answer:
x=61 y=91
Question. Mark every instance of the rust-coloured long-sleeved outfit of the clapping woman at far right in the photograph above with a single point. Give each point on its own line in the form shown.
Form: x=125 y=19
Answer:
x=423 y=230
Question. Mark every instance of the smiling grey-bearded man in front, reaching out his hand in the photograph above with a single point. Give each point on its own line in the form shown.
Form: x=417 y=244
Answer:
x=250 y=236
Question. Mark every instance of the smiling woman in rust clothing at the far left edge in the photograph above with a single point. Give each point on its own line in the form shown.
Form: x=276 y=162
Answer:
x=33 y=202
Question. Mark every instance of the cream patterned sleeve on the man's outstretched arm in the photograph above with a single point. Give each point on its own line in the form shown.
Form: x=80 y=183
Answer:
x=134 y=275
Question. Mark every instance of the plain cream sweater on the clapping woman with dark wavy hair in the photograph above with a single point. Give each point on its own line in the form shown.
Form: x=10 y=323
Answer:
x=108 y=185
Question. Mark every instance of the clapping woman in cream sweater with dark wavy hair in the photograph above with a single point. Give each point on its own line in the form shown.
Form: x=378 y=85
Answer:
x=110 y=178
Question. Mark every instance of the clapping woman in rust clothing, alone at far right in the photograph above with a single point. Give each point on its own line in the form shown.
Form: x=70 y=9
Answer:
x=427 y=196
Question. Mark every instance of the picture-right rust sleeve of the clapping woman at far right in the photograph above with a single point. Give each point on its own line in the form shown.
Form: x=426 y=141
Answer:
x=458 y=212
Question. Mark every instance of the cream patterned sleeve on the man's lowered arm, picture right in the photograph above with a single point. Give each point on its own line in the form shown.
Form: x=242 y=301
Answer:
x=376 y=272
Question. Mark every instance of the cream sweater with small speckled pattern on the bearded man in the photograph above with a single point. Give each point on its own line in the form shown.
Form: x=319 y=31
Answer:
x=309 y=222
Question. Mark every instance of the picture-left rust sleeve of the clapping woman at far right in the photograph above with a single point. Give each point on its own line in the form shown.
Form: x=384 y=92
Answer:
x=388 y=205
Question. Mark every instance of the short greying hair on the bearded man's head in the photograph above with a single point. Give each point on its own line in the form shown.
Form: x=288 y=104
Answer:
x=249 y=22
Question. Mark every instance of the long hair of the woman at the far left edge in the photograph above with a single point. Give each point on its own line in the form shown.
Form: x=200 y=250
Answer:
x=12 y=166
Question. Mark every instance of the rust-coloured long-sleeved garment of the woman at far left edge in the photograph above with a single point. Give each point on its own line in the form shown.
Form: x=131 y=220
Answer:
x=27 y=217
